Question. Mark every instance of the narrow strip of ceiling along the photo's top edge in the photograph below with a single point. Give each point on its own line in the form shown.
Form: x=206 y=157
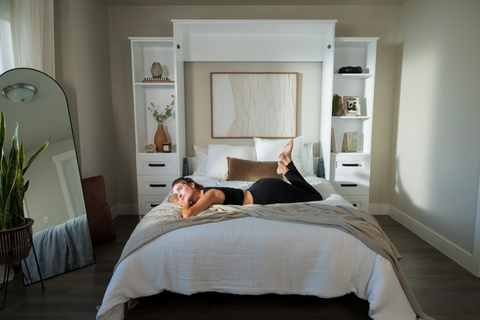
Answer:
x=250 y=2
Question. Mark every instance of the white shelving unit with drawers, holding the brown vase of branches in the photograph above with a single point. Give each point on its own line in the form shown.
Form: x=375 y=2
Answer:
x=155 y=171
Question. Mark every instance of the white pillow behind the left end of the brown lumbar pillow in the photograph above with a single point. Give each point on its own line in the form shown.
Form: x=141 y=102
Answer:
x=217 y=166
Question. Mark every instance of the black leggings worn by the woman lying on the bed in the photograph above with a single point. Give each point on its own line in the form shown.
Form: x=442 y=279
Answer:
x=272 y=190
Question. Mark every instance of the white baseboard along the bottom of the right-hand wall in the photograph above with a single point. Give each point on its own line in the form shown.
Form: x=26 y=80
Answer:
x=442 y=244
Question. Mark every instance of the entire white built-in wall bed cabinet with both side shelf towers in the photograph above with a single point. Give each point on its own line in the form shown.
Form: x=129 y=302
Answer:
x=247 y=41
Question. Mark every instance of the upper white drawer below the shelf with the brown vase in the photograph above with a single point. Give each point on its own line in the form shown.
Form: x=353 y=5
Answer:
x=157 y=164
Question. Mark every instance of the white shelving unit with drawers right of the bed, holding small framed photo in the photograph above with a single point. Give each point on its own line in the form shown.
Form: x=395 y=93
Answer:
x=350 y=171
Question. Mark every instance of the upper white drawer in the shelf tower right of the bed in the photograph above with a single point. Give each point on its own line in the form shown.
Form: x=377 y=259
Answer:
x=351 y=163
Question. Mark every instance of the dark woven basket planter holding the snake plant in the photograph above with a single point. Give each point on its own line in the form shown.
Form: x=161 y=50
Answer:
x=15 y=243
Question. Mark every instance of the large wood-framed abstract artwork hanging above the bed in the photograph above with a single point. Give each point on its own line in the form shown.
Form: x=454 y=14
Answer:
x=254 y=104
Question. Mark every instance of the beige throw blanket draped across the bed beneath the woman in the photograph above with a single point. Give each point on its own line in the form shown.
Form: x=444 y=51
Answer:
x=355 y=222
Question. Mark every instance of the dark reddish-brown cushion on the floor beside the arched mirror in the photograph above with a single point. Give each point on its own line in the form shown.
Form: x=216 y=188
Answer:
x=98 y=211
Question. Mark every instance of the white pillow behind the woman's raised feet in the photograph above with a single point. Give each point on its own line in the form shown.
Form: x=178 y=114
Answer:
x=268 y=150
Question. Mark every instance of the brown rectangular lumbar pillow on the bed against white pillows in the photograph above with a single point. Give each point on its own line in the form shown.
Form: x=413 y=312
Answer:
x=248 y=170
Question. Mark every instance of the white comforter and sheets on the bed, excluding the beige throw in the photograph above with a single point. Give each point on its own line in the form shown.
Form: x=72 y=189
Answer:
x=256 y=256
